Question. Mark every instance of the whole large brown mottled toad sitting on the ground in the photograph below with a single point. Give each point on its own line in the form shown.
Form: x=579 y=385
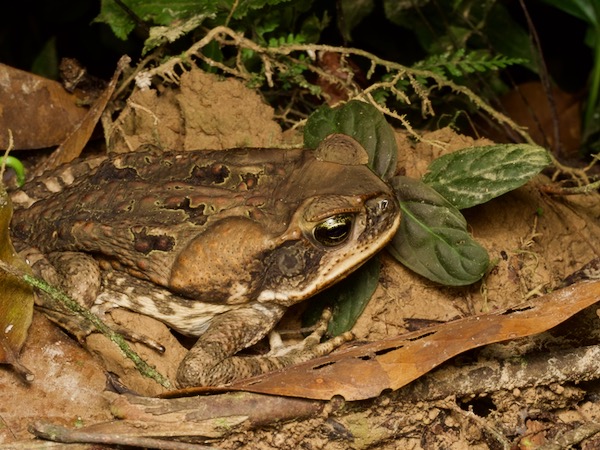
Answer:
x=216 y=244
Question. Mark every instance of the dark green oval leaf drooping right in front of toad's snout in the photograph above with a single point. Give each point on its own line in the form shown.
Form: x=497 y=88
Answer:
x=433 y=239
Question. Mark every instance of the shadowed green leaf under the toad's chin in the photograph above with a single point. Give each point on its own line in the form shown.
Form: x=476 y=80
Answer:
x=347 y=299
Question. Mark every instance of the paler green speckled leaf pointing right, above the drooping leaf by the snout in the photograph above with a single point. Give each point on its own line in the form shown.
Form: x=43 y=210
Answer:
x=475 y=175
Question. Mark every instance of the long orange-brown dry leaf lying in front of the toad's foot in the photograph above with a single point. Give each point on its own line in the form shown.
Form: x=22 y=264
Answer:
x=364 y=372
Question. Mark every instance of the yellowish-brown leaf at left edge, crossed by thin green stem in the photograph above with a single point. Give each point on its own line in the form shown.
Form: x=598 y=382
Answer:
x=16 y=296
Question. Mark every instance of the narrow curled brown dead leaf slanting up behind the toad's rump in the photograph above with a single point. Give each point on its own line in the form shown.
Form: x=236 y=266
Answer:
x=73 y=145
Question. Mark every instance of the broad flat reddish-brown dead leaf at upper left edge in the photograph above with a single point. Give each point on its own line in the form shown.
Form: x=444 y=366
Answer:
x=39 y=111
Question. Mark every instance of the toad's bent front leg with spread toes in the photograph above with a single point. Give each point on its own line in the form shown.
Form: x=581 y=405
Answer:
x=213 y=361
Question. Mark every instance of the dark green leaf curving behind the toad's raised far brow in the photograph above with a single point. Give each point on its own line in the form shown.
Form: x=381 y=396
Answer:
x=364 y=123
